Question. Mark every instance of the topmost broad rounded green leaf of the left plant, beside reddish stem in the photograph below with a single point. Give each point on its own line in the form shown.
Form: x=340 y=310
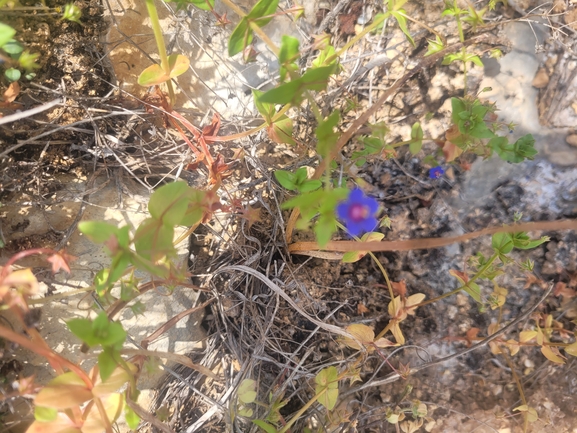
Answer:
x=169 y=203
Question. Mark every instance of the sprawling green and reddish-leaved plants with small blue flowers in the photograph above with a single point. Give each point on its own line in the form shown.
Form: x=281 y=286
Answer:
x=91 y=401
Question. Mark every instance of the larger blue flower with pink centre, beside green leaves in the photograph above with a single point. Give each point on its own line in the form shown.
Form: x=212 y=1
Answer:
x=358 y=212
